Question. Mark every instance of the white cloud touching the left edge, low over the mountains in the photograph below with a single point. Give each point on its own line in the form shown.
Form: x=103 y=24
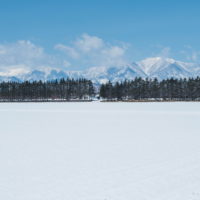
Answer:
x=23 y=56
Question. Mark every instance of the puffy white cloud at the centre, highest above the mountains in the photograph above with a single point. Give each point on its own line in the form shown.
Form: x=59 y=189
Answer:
x=94 y=51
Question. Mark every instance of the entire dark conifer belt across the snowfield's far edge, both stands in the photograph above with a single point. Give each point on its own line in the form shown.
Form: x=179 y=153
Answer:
x=84 y=90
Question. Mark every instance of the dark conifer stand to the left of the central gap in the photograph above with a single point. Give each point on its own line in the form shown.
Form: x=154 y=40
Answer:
x=68 y=89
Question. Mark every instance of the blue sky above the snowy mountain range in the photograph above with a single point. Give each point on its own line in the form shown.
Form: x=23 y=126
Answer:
x=141 y=28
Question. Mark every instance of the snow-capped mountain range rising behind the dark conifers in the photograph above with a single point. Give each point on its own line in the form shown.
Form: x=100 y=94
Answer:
x=156 y=67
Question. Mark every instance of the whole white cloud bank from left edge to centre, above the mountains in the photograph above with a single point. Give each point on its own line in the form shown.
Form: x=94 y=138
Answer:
x=86 y=51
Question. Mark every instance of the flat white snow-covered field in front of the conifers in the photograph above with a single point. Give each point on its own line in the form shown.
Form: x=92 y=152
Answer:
x=100 y=151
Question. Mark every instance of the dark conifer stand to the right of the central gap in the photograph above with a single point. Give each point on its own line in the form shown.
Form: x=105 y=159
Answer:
x=148 y=89
